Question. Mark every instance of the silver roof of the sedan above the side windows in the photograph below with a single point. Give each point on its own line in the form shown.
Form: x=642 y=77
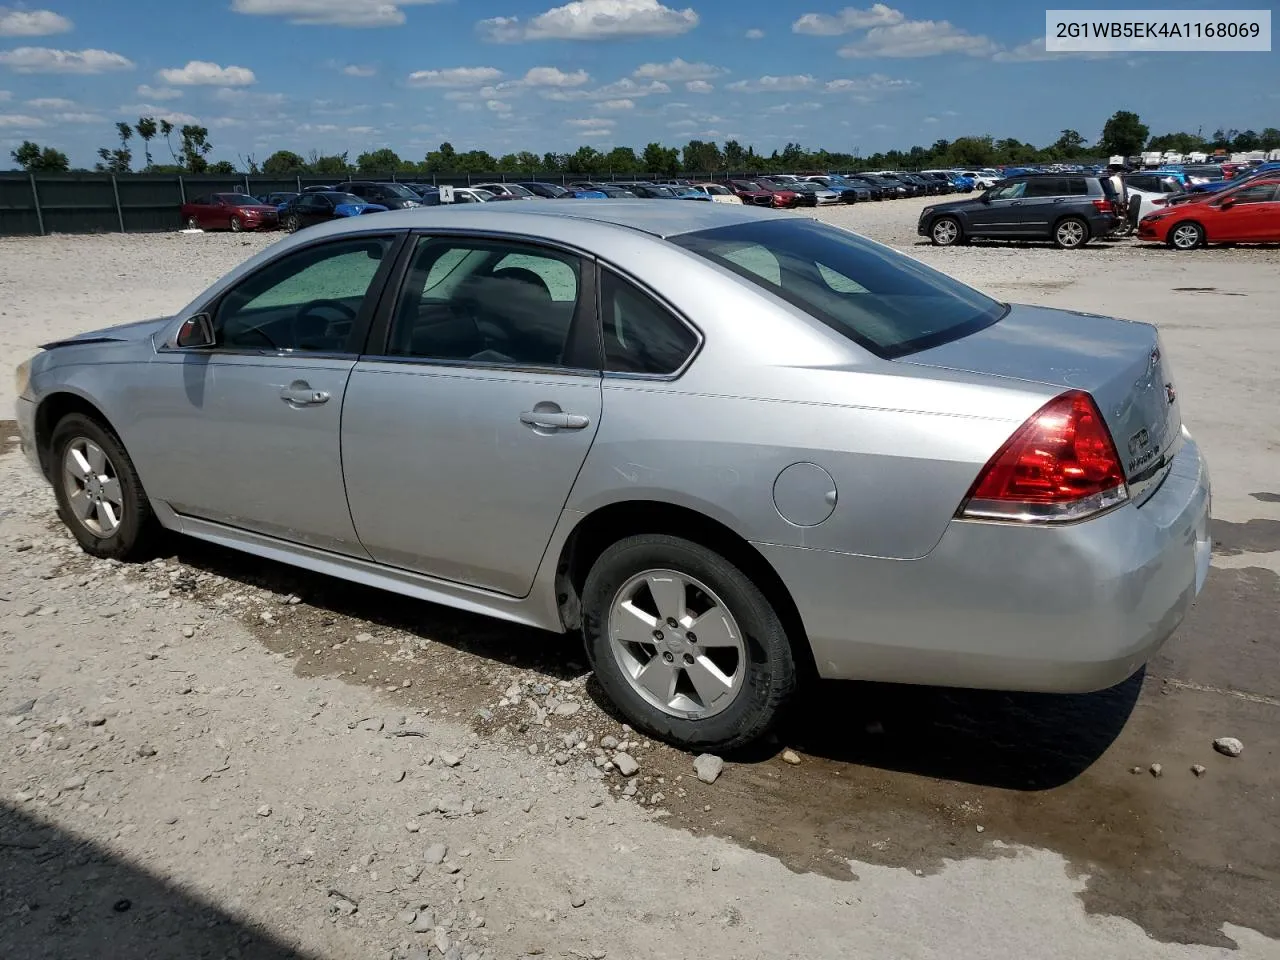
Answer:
x=644 y=216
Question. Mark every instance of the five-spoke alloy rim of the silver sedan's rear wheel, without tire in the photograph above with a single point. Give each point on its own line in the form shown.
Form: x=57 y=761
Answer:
x=678 y=644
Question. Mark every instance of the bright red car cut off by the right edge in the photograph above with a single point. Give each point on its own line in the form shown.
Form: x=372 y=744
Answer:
x=1245 y=214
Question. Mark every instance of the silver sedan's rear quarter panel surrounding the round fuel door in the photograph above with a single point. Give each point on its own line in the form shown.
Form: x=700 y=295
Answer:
x=772 y=387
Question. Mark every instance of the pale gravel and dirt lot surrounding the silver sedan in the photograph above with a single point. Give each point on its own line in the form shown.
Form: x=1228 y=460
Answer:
x=217 y=757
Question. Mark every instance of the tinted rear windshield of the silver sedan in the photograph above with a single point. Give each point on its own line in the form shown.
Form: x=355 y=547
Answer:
x=888 y=303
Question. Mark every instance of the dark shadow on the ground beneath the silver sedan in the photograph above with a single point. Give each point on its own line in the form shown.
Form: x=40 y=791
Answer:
x=1020 y=742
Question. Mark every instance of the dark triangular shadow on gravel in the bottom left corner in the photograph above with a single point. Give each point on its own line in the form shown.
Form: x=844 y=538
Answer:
x=71 y=898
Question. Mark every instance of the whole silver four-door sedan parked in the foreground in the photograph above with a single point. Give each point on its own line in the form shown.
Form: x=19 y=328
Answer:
x=723 y=444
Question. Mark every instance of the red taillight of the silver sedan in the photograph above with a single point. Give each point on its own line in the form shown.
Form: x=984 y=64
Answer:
x=1060 y=465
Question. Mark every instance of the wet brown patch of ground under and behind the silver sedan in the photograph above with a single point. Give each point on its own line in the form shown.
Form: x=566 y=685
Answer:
x=893 y=776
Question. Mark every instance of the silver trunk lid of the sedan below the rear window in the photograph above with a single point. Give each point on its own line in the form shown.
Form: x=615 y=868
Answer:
x=1121 y=364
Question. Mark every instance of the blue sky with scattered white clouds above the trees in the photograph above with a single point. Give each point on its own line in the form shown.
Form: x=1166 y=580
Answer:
x=536 y=75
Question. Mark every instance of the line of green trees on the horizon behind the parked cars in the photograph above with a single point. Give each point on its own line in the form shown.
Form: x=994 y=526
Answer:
x=1124 y=134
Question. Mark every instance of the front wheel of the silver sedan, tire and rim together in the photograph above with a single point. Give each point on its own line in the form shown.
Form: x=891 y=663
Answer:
x=99 y=493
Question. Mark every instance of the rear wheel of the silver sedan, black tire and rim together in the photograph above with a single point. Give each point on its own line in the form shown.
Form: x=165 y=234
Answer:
x=684 y=644
